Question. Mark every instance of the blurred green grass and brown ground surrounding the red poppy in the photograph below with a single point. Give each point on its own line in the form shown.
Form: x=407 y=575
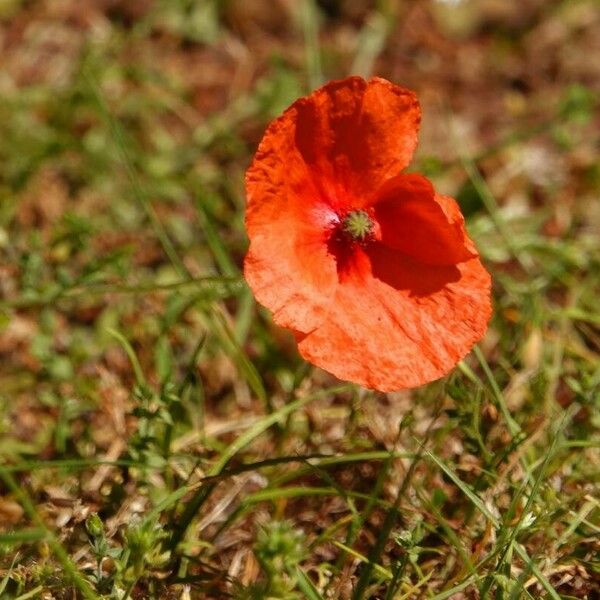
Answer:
x=156 y=430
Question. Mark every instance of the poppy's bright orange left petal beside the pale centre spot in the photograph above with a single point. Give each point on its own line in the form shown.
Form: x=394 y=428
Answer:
x=287 y=266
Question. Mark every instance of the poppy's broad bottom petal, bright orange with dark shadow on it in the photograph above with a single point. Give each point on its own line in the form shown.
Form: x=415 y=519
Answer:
x=402 y=324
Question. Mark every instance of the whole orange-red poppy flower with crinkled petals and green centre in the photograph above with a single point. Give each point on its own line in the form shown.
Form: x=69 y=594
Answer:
x=372 y=270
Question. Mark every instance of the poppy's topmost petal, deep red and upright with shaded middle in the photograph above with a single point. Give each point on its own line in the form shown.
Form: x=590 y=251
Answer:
x=355 y=134
